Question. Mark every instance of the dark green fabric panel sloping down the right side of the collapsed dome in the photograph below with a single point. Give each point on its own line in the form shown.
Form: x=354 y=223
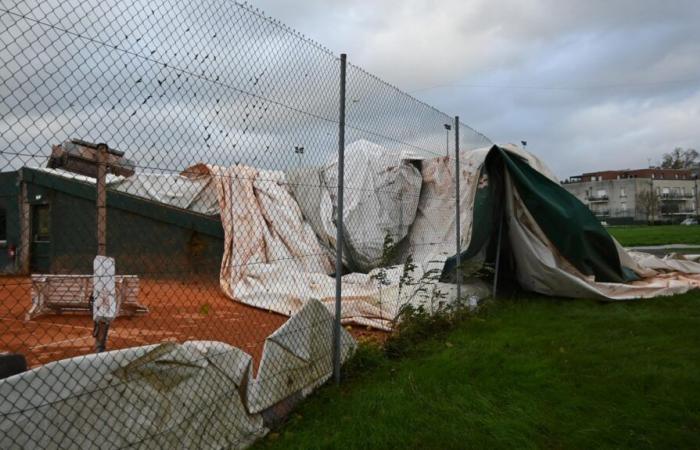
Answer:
x=567 y=222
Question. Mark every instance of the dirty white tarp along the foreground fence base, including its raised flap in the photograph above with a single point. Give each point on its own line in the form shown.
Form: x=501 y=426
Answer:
x=199 y=394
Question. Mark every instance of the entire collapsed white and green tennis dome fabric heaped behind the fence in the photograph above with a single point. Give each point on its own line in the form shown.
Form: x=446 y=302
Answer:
x=280 y=234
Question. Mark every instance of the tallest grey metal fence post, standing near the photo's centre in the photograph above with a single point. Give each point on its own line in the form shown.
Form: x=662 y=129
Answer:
x=339 y=222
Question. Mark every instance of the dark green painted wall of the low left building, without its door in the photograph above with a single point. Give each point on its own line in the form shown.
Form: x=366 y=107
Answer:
x=145 y=238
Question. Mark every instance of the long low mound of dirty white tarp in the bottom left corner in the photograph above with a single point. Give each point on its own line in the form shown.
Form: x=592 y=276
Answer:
x=158 y=396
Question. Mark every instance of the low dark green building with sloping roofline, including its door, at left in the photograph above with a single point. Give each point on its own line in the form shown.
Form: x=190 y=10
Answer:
x=49 y=226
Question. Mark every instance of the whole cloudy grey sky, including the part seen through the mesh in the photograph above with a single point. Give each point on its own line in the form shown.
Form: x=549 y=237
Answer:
x=610 y=59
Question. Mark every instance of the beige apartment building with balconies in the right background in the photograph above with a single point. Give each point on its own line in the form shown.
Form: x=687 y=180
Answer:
x=629 y=196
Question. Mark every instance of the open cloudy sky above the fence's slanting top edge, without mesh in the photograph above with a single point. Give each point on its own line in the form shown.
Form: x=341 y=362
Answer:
x=589 y=84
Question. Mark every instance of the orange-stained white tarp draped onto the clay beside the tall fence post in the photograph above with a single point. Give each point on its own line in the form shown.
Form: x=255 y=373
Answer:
x=274 y=261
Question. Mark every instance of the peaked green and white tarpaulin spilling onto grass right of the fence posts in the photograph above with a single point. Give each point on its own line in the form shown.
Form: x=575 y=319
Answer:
x=558 y=246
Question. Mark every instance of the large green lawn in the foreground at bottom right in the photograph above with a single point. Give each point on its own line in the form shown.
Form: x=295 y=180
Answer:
x=527 y=373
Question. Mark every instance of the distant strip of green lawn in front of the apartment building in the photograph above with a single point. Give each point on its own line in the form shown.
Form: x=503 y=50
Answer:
x=656 y=235
